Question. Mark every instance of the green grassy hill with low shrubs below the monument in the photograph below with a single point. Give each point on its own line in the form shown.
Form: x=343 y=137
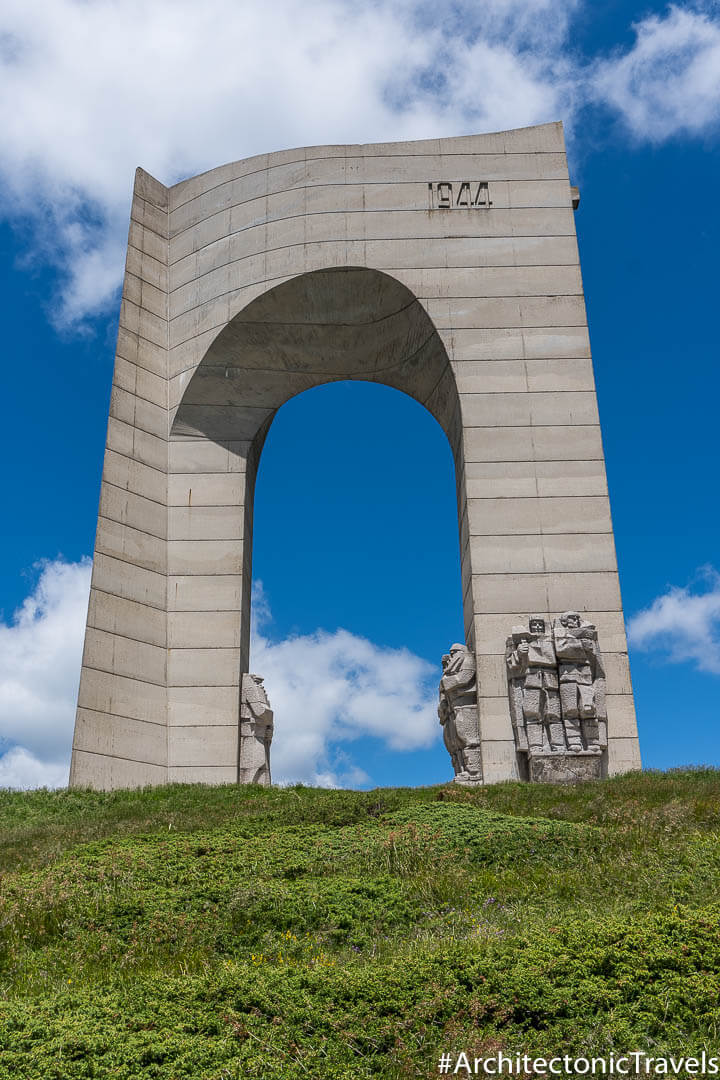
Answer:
x=223 y=933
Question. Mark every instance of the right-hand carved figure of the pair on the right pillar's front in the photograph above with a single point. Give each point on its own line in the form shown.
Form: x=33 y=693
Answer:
x=582 y=682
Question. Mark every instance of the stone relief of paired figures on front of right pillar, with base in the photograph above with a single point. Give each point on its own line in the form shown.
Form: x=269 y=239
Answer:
x=558 y=692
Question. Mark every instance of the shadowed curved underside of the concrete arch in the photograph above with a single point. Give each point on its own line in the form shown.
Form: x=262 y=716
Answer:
x=343 y=323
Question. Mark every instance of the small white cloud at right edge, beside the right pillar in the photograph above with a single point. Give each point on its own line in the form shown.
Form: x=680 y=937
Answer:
x=685 y=625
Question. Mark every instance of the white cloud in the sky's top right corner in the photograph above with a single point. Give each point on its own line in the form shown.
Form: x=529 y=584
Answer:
x=669 y=84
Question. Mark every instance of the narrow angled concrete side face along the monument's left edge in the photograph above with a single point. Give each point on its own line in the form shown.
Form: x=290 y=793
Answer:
x=121 y=727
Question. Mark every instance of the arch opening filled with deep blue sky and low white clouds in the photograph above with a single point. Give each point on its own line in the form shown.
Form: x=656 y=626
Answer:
x=357 y=550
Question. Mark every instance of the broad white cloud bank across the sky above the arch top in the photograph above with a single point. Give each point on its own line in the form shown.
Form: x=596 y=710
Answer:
x=93 y=90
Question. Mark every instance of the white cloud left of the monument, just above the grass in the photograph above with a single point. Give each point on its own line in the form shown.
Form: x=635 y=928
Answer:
x=40 y=654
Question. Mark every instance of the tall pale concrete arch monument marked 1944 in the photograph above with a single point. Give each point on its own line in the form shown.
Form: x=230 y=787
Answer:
x=447 y=269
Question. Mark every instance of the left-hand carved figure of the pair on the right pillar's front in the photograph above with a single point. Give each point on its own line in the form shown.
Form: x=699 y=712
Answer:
x=534 y=687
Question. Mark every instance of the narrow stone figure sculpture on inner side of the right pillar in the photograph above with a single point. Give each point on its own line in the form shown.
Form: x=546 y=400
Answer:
x=458 y=714
